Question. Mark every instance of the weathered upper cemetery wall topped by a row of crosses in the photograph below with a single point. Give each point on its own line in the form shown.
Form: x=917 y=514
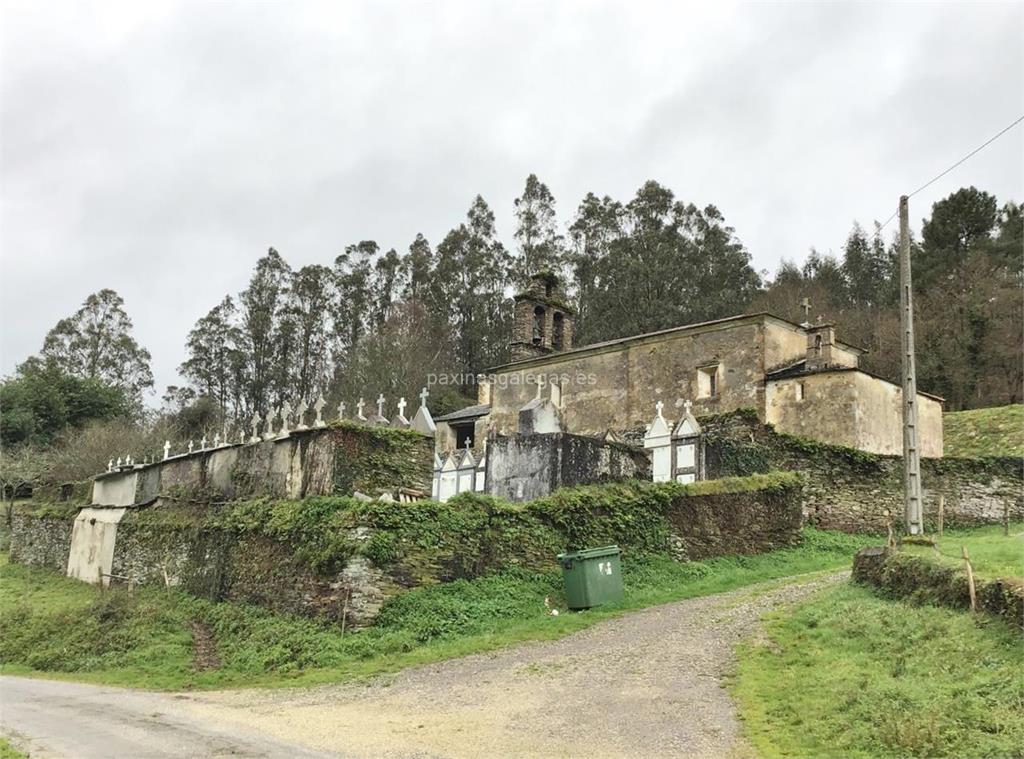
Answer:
x=335 y=460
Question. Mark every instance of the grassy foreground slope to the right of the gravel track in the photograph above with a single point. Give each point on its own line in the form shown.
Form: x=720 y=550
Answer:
x=849 y=674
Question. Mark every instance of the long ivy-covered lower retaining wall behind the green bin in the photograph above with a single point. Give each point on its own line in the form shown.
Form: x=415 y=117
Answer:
x=334 y=558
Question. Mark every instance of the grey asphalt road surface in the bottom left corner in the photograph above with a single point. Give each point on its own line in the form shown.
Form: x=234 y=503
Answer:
x=50 y=719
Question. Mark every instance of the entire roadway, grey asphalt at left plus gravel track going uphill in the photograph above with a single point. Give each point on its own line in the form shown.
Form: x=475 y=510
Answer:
x=650 y=684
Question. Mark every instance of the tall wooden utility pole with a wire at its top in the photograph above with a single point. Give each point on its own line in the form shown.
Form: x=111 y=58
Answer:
x=912 y=453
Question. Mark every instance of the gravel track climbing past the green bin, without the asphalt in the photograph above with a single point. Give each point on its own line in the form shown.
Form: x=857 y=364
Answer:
x=648 y=685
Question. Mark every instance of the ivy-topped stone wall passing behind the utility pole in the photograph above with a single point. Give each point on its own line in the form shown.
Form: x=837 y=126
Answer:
x=850 y=490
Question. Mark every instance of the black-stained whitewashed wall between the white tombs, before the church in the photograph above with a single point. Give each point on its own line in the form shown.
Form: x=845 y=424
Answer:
x=525 y=468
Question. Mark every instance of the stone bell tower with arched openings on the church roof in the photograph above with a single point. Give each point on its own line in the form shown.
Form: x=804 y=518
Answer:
x=543 y=322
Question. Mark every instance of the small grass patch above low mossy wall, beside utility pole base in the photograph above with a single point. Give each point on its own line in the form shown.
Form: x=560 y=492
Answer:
x=993 y=554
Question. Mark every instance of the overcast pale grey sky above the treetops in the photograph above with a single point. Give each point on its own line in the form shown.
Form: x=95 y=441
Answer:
x=160 y=149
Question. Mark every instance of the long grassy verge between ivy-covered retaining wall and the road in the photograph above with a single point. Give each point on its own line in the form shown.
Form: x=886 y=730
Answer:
x=59 y=627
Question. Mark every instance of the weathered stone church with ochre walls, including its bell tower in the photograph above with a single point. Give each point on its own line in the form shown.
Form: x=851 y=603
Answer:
x=801 y=378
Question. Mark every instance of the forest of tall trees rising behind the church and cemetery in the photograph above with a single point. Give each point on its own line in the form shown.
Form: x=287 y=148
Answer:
x=378 y=322
